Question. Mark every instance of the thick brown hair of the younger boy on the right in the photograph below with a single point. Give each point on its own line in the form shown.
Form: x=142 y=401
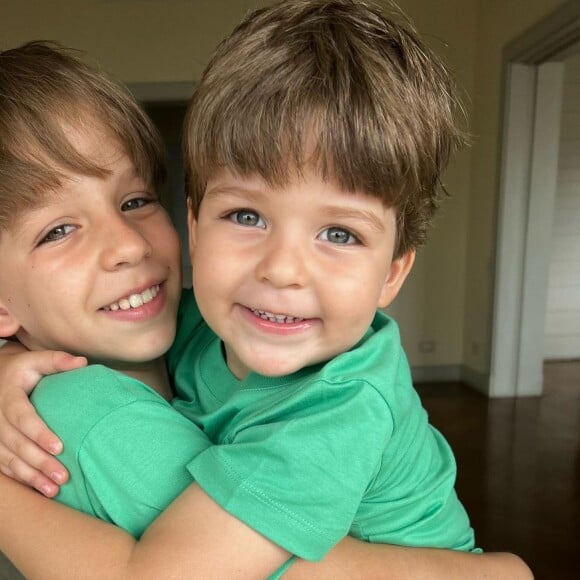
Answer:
x=330 y=82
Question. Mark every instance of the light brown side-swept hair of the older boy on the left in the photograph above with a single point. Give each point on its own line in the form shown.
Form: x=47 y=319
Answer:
x=45 y=88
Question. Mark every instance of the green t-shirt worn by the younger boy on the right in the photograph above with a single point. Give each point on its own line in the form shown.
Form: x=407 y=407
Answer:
x=338 y=448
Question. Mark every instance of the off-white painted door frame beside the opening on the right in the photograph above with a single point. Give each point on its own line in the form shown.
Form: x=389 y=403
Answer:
x=533 y=82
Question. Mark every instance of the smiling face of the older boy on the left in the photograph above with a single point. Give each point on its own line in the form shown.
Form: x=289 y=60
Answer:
x=94 y=269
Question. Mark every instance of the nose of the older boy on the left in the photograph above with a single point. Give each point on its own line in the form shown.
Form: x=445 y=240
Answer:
x=124 y=244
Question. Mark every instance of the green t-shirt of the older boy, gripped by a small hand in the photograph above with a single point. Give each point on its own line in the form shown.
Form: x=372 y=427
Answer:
x=125 y=447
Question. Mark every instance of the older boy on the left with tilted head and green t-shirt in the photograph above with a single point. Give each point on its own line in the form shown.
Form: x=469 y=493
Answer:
x=90 y=263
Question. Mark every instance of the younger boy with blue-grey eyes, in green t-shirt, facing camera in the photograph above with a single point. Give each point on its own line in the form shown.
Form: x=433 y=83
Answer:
x=295 y=240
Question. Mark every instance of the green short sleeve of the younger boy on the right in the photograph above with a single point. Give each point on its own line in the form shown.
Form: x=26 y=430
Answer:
x=299 y=480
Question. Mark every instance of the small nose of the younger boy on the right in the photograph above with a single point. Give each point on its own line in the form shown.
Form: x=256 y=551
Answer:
x=283 y=262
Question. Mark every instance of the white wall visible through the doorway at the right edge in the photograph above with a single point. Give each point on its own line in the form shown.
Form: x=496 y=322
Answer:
x=562 y=336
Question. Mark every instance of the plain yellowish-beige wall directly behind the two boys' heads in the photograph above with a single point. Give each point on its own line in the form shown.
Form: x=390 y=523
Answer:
x=167 y=41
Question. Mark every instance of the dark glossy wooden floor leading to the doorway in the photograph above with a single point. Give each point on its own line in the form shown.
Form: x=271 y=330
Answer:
x=519 y=469
